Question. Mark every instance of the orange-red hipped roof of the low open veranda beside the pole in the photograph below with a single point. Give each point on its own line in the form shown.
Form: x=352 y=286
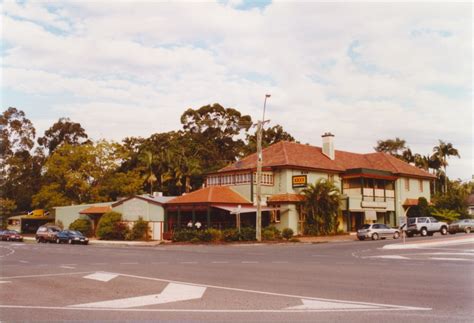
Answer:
x=211 y=194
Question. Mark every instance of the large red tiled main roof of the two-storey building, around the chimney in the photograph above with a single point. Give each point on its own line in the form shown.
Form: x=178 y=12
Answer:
x=290 y=154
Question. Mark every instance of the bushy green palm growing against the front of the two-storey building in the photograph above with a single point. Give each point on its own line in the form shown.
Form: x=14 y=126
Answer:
x=321 y=202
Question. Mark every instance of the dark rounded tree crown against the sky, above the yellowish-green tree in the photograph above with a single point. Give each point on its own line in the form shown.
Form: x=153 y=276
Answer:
x=63 y=131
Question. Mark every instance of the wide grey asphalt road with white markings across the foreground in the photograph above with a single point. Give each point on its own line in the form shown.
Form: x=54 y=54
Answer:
x=356 y=281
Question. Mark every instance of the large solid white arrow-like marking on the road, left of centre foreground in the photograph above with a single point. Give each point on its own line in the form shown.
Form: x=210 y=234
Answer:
x=171 y=293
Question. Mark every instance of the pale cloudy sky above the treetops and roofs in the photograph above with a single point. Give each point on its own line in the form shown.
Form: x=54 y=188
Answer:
x=363 y=71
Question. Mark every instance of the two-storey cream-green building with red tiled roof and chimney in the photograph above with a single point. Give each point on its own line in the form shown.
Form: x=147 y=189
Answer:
x=375 y=186
